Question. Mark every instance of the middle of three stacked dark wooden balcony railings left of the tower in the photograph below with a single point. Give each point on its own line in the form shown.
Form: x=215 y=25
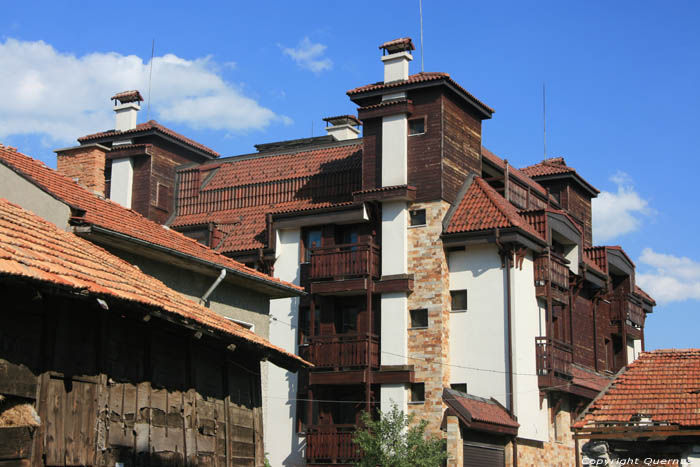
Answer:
x=342 y=351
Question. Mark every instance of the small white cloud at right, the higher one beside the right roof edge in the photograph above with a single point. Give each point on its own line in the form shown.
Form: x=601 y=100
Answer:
x=618 y=213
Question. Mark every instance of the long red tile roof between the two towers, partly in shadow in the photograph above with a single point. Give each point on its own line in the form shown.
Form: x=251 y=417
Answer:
x=238 y=193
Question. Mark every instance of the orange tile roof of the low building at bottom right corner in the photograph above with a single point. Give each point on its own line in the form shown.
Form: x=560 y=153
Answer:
x=662 y=385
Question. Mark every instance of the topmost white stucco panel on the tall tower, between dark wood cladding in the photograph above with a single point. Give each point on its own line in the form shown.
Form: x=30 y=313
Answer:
x=394 y=150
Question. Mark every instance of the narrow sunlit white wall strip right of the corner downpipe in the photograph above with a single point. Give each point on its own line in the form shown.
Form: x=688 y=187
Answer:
x=526 y=315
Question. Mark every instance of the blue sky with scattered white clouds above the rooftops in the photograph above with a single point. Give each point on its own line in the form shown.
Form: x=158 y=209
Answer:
x=623 y=101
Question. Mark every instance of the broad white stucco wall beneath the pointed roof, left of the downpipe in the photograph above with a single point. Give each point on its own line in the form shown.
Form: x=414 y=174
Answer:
x=478 y=337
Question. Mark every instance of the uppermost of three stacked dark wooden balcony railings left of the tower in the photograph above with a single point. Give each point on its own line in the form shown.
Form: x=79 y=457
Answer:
x=341 y=261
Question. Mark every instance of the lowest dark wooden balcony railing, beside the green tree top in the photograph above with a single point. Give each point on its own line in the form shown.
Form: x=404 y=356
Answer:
x=331 y=443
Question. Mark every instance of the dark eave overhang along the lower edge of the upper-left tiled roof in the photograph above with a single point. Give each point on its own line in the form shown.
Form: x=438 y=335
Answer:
x=111 y=239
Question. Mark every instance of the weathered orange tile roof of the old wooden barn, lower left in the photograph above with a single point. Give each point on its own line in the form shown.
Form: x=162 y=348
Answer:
x=35 y=249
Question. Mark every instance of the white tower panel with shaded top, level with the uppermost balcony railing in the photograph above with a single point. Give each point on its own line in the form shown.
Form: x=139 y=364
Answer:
x=394 y=238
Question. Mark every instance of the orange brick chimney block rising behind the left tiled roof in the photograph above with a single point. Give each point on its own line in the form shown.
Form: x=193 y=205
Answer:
x=84 y=164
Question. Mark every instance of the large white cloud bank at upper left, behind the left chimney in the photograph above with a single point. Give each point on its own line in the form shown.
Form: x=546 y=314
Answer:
x=62 y=96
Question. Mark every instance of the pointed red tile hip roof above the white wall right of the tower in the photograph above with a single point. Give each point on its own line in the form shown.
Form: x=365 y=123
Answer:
x=482 y=208
